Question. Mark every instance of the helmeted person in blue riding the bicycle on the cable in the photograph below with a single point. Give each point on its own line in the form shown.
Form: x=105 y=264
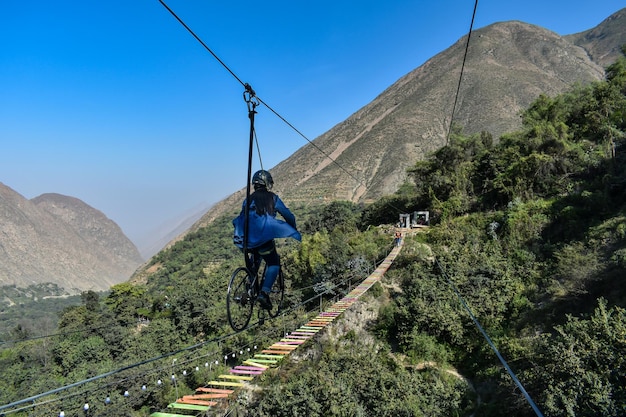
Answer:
x=264 y=227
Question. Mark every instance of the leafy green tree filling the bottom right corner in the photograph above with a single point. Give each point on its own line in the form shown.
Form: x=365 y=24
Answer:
x=580 y=369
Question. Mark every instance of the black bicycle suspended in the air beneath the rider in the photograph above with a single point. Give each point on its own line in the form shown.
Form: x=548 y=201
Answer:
x=244 y=288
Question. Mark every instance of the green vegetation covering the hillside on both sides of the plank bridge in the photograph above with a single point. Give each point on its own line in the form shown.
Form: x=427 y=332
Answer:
x=530 y=232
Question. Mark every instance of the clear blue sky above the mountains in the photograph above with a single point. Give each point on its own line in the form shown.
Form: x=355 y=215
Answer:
x=116 y=104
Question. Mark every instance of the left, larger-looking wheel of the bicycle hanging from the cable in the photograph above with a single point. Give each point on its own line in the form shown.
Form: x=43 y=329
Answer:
x=239 y=302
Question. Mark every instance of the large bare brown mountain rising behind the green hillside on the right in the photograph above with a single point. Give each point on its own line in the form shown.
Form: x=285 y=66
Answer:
x=508 y=65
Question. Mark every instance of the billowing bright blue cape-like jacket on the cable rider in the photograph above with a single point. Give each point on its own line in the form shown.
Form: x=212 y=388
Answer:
x=263 y=228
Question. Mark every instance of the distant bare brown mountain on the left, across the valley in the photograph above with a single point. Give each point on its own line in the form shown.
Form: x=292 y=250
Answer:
x=60 y=239
